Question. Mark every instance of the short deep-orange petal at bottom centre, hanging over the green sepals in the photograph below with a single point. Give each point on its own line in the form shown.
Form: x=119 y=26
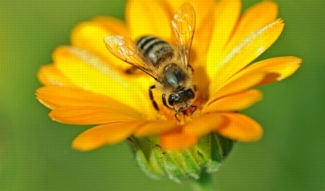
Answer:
x=177 y=140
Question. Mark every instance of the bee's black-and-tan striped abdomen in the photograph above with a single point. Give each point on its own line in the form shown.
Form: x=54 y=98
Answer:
x=155 y=48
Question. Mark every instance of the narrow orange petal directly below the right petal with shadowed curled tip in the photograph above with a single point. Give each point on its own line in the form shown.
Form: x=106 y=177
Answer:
x=236 y=85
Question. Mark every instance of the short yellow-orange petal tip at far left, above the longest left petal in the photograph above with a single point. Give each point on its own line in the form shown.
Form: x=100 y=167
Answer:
x=50 y=75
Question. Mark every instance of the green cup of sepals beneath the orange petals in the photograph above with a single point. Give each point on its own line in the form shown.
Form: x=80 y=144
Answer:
x=205 y=157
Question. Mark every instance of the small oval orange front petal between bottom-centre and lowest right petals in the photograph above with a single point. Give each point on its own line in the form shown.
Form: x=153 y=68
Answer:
x=203 y=124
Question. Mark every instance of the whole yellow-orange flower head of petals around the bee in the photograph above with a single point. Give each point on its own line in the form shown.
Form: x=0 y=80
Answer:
x=87 y=85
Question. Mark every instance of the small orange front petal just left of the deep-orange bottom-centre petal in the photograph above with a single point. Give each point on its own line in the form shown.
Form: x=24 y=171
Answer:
x=155 y=128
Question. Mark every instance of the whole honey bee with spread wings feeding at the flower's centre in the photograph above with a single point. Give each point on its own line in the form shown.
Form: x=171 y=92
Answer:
x=167 y=64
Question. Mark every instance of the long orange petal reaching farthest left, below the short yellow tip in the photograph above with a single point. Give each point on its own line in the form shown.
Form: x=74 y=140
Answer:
x=56 y=97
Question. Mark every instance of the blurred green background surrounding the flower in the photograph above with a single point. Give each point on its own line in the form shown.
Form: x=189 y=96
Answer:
x=35 y=152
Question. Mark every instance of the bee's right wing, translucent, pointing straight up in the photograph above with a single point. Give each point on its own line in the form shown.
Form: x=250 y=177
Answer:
x=183 y=27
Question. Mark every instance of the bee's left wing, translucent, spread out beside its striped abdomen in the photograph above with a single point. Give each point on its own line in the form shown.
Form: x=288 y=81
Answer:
x=126 y=49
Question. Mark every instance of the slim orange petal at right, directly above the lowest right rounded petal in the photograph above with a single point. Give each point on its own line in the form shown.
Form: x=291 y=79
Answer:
x=234 y=102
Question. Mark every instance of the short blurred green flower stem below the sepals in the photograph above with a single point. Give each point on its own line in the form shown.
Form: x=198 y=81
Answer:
x=205 y=183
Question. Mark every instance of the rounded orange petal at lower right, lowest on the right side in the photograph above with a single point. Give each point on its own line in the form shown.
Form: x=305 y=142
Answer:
x=240 y=127
